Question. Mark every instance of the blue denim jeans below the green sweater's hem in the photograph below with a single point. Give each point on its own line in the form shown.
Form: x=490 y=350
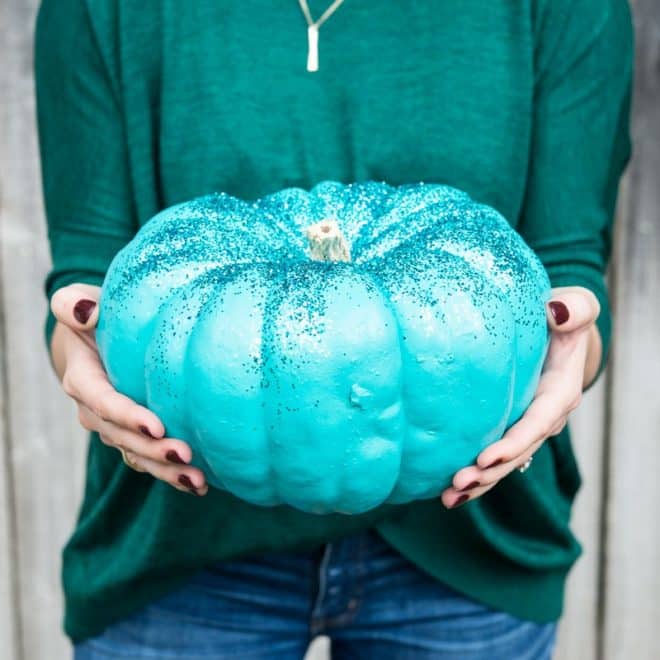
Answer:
x=365 y=596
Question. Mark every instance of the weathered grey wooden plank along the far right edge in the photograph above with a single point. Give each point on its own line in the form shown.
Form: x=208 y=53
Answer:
x=632 y=558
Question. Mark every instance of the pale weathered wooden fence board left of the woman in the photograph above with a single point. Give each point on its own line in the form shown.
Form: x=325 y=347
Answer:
x=42 y=442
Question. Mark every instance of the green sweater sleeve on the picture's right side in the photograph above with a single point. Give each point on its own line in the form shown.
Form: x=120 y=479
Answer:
x=580 y=142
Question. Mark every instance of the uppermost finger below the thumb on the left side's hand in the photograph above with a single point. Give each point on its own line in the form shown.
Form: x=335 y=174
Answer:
x=85 y=381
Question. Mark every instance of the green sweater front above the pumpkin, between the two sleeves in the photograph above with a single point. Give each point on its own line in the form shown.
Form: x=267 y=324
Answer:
x=216 y=96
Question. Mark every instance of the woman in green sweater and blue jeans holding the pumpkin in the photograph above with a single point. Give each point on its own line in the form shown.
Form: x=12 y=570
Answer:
x=142 y=105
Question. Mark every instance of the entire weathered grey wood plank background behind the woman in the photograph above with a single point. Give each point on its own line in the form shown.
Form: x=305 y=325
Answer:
x=613 y=605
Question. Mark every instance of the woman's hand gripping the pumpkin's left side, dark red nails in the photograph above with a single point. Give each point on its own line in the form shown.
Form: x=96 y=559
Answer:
x=120 y=422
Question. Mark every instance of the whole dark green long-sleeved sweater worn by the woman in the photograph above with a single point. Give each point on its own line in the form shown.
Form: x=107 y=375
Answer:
x=145 y=104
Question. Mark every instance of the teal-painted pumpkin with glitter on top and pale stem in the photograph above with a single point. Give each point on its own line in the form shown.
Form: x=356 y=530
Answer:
x=330 y=349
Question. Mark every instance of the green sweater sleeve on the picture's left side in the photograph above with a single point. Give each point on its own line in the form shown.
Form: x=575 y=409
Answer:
x=84 y=161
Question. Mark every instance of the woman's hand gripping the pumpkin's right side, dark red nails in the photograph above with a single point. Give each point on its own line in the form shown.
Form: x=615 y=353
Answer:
x=571 y=364
